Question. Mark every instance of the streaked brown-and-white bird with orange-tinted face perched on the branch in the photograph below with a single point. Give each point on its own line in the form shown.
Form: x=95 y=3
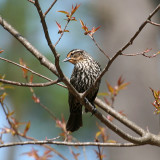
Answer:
x=85 y=72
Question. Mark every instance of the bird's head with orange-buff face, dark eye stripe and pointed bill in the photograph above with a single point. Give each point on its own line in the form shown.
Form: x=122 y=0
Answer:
x=76 y=55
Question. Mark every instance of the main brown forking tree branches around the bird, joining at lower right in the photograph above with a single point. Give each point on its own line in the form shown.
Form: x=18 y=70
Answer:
x=145 y=136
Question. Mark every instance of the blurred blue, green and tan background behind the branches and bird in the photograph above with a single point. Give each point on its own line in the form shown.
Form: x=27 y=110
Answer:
x=119 y=20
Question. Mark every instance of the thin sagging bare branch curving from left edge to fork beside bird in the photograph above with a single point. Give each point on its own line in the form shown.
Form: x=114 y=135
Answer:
x=29 y=84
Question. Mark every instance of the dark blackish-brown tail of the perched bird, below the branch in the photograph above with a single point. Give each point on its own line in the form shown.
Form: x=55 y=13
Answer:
x=74 y=121
